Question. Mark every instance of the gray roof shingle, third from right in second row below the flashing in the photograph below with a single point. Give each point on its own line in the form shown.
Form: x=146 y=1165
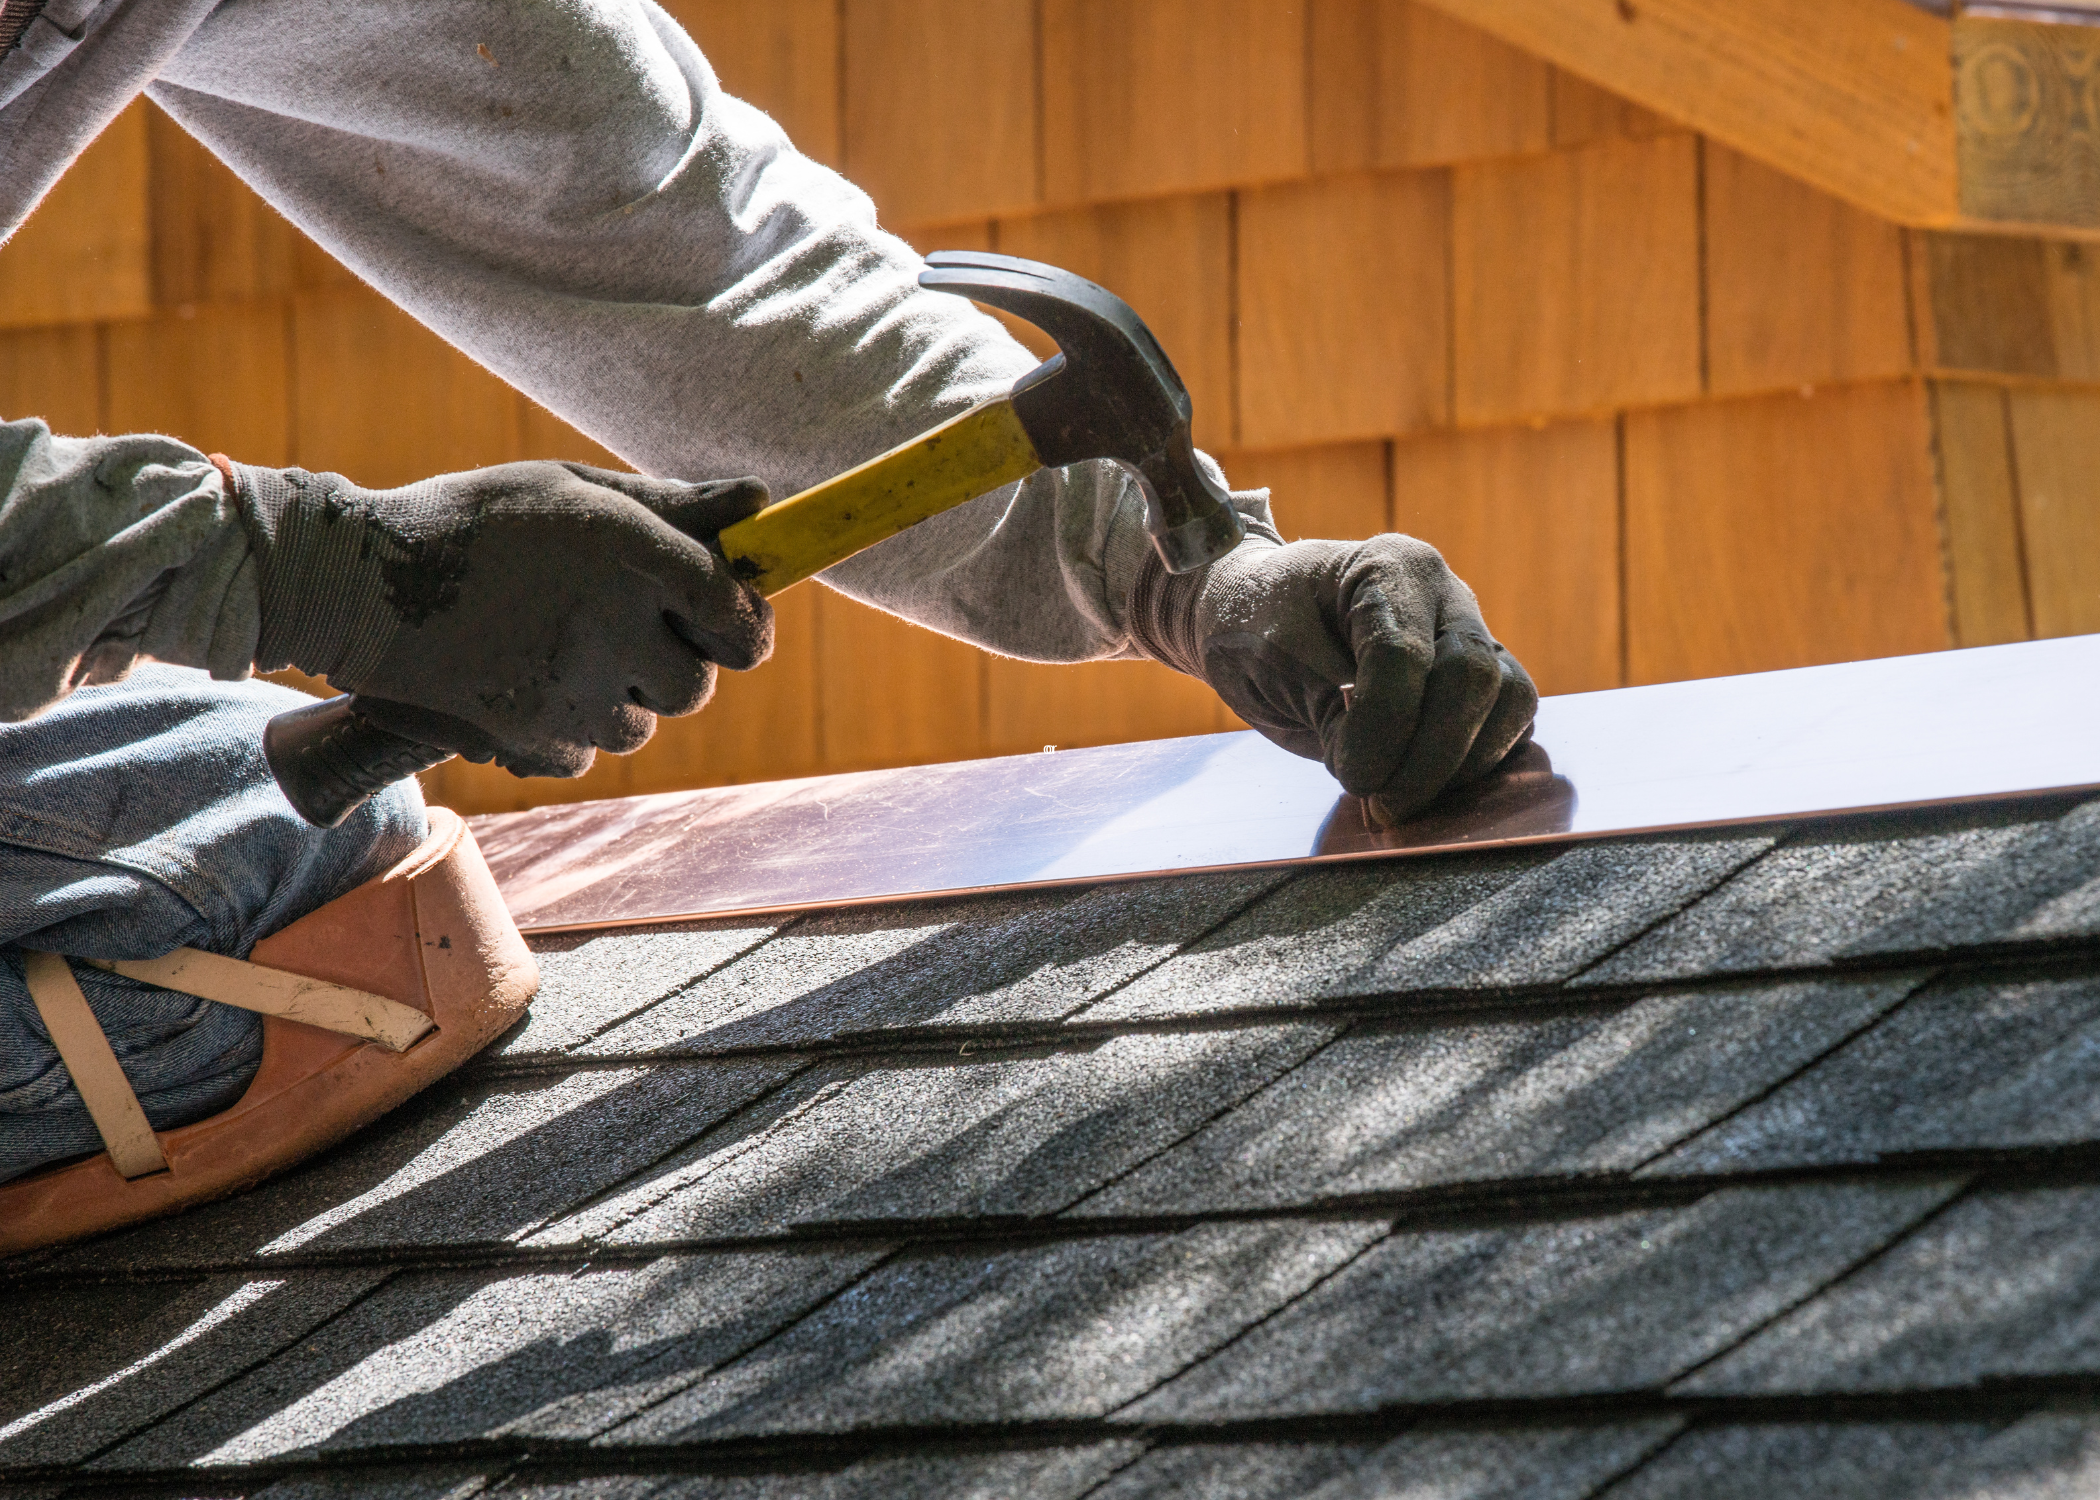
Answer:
x=999 y=1138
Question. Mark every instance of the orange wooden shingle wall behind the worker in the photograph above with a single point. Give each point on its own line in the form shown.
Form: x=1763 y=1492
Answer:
x=1668 y=411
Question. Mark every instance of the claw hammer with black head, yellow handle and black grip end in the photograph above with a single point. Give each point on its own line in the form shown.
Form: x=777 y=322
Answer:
x=1108 y=394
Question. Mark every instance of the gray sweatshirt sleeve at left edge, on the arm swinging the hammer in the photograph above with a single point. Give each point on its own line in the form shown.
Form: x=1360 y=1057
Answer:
x=114 y=549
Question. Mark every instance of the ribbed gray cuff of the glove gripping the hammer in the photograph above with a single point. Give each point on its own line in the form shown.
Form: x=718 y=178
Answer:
x=322 y=568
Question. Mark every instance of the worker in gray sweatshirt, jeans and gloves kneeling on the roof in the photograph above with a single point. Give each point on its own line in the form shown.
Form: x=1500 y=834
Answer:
x=566 y=194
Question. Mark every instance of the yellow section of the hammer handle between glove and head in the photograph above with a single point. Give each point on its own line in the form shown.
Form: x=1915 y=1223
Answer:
x=959 y=461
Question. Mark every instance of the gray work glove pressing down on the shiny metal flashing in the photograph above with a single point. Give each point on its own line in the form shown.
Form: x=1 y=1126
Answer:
x=1278 y=631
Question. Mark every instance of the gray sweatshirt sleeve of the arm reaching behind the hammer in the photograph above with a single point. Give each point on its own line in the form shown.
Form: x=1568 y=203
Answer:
x=568 y=196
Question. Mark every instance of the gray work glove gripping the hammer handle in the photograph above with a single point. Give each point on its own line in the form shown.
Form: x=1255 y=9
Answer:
x=530 y=612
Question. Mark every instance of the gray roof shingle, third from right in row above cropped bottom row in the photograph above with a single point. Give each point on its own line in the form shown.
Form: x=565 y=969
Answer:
x=1055 y=1331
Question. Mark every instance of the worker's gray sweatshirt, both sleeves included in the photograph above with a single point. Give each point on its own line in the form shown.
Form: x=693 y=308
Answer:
x=562 y=190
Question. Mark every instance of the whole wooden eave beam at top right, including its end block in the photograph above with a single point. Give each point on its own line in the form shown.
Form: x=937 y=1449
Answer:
x=1983 y=123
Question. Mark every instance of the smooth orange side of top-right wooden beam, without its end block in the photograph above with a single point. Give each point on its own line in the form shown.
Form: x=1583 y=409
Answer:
x=1849 y=96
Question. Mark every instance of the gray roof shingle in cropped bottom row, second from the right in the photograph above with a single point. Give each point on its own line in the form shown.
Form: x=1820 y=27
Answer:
x=1547 y=1463
